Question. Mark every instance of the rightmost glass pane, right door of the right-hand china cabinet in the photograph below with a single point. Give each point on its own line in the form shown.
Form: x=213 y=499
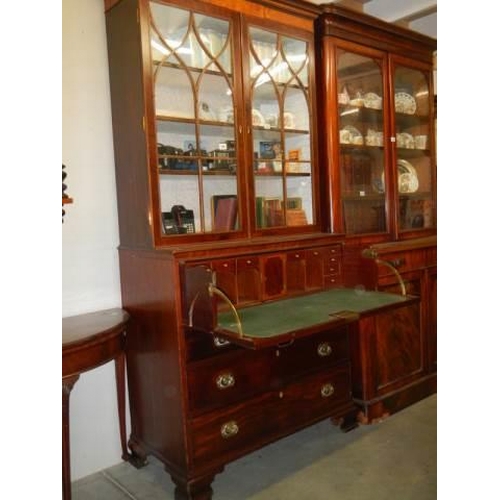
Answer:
x=414 y=161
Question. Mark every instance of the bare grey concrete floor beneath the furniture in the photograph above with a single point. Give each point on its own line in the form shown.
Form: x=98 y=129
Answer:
x=391 y=460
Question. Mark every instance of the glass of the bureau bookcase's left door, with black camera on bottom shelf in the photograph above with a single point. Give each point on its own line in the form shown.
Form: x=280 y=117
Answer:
x=195 y=121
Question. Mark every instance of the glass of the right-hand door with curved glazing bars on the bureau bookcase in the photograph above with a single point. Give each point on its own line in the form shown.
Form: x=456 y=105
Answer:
x=281 y=137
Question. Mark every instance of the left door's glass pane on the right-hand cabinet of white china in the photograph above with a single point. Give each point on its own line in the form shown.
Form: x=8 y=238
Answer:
x=362 y=142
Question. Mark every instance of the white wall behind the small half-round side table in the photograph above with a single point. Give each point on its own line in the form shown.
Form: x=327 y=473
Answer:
x=90 y=272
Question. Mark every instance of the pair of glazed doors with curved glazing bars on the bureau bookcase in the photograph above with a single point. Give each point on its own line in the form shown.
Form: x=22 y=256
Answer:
x=232 y=101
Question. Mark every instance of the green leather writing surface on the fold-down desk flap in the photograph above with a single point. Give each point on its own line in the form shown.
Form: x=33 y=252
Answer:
x=288 y=315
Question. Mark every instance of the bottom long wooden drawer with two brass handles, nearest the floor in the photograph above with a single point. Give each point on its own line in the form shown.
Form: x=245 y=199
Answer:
x=254 y=423
